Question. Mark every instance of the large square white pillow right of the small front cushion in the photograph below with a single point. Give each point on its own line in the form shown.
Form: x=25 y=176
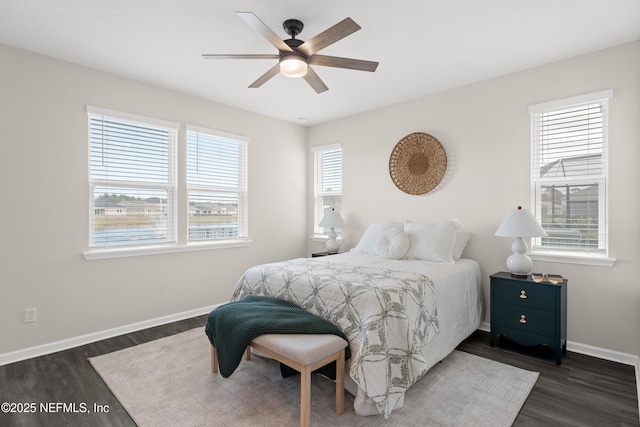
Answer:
x=431 y=241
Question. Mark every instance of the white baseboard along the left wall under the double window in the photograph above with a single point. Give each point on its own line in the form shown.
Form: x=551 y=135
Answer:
x=41 y=350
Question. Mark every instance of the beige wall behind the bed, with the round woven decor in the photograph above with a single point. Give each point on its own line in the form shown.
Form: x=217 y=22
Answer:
x=485 y=129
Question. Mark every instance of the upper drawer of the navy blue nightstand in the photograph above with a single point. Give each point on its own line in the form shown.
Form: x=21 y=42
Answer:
x=525 y=294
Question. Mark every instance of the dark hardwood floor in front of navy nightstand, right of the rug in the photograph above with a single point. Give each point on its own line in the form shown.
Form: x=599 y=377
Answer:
x=583 y=391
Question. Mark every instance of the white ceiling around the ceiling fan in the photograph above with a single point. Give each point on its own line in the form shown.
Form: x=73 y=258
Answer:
x=423 y=46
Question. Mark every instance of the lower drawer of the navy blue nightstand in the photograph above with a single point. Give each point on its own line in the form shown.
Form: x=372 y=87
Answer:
x=524 y=319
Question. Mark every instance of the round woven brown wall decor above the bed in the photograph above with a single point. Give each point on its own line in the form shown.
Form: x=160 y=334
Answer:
x=417 y=163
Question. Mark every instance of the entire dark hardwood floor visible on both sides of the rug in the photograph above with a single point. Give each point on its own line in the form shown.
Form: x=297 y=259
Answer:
x=584 y=391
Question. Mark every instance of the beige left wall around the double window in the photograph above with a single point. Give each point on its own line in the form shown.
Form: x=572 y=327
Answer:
x=44 y=205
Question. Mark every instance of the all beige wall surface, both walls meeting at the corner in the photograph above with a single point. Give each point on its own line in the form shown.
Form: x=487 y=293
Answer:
x=484 y=127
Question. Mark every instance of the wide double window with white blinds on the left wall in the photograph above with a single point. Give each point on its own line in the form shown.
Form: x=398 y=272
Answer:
x=135 y=185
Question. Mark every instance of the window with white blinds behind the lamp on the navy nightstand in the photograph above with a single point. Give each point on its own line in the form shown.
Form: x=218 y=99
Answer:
x=569 y=173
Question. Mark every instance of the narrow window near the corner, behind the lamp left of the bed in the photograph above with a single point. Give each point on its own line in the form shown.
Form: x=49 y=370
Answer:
x=327 y=160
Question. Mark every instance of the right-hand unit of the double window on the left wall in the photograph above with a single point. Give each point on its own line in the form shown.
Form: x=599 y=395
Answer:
x=216 y=185
